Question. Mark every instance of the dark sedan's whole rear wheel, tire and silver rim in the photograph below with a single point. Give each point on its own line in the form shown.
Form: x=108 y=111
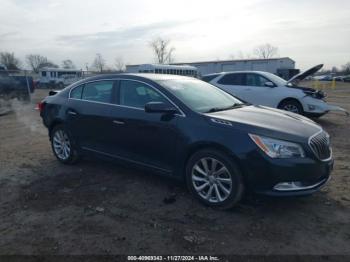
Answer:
x=61 y=138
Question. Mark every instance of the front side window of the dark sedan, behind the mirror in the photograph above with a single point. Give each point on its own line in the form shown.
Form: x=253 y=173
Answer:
x=136 y=94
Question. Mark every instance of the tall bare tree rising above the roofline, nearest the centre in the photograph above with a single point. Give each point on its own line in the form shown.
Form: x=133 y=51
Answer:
x=163 y=52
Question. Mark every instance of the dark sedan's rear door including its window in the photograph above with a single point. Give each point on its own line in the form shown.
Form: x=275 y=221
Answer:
x=89 y=114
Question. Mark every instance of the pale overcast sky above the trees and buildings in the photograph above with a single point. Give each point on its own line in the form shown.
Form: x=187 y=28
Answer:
x=310 y=32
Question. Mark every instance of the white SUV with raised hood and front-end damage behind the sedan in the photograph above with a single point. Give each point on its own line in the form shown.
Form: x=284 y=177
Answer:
x=263 y=88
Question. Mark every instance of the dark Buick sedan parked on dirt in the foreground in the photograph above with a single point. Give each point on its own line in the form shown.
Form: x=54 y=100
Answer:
x=191 y=130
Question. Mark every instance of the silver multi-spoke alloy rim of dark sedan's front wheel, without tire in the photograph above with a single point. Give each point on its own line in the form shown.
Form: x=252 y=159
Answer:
x=211 y=179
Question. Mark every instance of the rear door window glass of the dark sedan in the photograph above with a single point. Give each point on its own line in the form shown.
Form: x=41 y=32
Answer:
x=98 y=91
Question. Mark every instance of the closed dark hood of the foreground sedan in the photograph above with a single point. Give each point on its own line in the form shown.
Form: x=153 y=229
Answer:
x=269 y=122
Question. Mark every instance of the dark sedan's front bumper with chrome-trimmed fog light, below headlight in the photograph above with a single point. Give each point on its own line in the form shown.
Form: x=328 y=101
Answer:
x=287 y=177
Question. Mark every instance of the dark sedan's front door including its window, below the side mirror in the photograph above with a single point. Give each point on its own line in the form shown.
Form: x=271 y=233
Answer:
x=147 y=138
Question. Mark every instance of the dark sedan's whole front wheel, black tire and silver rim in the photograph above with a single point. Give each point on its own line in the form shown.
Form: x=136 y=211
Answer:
x=229 y=177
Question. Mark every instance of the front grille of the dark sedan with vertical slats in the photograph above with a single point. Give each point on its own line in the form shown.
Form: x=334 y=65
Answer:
x=320 y=145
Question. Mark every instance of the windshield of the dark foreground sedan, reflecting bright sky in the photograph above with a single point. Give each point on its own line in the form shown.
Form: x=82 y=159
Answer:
x=200 y=96
